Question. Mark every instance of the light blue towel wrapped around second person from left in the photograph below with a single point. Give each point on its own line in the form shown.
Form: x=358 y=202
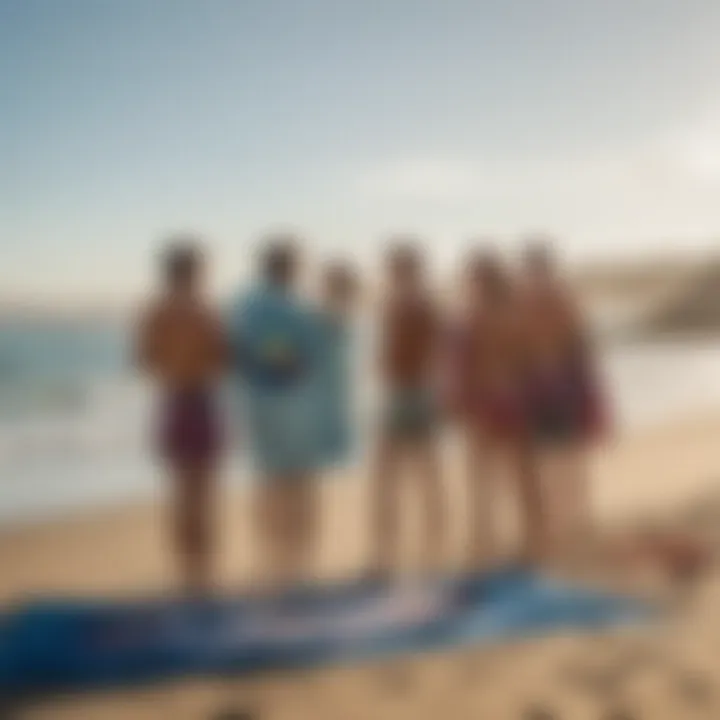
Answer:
x=289 y=367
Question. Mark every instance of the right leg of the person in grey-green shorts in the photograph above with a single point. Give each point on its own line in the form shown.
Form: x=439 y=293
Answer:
x=429 y=478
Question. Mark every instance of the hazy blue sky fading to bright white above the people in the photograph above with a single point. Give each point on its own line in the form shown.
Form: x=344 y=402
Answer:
x=122 y=122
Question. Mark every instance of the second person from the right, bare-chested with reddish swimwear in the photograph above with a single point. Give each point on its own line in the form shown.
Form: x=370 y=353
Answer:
x=486 y=397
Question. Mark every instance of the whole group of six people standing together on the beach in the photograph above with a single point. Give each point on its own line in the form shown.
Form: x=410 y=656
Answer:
x=512 y=371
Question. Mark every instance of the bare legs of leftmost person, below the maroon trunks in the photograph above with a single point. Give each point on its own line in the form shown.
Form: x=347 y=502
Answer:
x=192 y=526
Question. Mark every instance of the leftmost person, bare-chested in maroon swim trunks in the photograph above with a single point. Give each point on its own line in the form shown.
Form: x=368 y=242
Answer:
x=182 y=347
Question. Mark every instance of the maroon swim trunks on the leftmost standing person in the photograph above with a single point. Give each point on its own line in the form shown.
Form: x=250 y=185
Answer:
x=189 y=428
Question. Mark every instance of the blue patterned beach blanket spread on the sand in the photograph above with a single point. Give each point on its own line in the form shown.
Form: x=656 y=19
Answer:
x=62 y=645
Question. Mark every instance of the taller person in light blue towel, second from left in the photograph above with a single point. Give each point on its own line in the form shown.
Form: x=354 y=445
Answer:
x=274 y=335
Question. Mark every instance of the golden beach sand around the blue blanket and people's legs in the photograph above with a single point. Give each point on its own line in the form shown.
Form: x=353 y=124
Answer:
x=123 y=551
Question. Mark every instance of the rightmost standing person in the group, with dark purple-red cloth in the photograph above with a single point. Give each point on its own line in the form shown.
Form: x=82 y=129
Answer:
x=566 y=411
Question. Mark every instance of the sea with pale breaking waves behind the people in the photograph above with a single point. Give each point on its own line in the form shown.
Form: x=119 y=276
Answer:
x=76 y=420
